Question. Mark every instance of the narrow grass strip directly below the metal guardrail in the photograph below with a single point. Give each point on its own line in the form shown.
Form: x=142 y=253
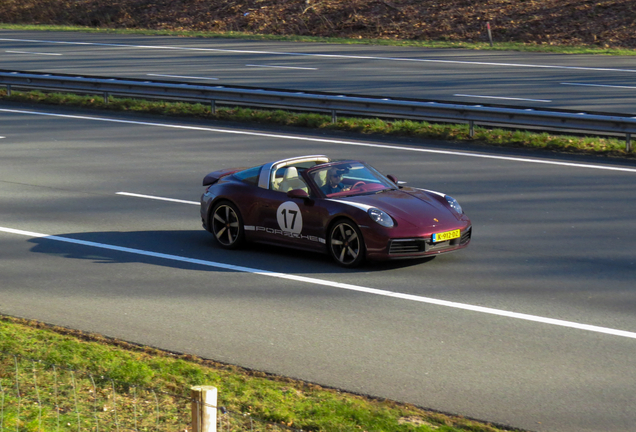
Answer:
x=399 y=128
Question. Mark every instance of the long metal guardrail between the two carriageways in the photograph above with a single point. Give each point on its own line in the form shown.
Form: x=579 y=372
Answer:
x=328 y=102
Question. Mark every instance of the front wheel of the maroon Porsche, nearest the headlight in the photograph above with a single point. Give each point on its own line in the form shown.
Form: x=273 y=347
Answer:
x=345 y=243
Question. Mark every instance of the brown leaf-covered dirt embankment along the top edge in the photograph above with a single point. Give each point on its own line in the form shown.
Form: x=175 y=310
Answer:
x=605 y=23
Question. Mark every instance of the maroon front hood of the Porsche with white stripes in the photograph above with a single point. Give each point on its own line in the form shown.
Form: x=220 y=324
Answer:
x=410 y=206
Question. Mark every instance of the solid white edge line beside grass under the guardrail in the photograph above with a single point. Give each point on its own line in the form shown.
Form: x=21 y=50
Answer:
x=328 y=141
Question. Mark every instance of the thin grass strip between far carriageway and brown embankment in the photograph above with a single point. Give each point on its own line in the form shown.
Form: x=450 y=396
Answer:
x=499 y=46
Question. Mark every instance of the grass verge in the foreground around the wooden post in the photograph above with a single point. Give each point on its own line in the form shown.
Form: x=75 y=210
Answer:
x=283 y=401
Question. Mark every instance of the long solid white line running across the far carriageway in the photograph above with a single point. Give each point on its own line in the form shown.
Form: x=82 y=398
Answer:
x=342 y=56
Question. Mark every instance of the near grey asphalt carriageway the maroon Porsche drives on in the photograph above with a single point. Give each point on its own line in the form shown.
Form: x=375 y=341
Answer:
x=554 y=238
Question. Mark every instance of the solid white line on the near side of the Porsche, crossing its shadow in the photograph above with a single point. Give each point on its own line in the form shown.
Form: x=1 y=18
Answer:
x=338 y=285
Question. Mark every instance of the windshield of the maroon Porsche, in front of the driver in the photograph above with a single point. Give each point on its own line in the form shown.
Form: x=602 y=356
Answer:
x=349 y=178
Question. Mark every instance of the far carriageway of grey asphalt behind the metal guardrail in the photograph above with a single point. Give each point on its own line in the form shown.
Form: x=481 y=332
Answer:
x=580 y=82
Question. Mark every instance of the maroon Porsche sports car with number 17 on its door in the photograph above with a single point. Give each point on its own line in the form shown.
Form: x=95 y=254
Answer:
x=344 y=208
